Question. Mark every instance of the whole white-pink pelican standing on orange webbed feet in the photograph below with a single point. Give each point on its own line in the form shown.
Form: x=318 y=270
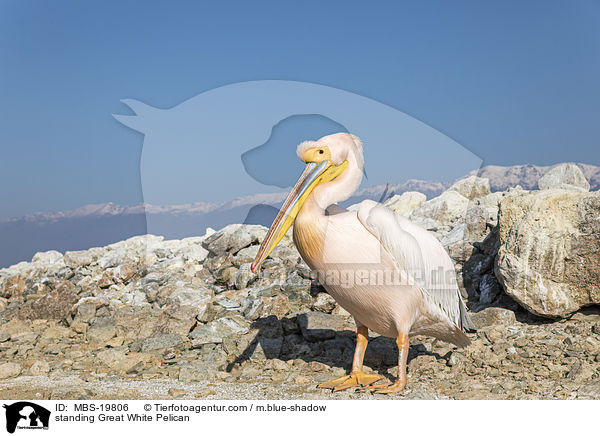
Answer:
x=391 y=275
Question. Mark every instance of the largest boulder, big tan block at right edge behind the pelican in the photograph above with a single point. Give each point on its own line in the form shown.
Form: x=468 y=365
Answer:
x=549 y=255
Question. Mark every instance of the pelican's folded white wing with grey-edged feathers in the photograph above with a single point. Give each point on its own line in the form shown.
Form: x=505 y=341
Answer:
x=418 y=253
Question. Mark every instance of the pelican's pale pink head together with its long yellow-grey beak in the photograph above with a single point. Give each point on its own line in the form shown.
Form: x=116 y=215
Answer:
x=326 y=159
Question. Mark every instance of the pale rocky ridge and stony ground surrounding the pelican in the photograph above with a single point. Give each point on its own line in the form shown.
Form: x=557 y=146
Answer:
x=154 y=318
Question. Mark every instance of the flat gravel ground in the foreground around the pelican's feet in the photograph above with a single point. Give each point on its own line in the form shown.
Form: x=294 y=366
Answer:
x=507 y=359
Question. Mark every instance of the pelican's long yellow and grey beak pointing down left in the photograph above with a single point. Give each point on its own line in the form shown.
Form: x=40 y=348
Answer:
x=313 y=175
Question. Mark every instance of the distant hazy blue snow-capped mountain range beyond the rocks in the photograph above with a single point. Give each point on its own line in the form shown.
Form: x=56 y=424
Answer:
x=101 y=224
